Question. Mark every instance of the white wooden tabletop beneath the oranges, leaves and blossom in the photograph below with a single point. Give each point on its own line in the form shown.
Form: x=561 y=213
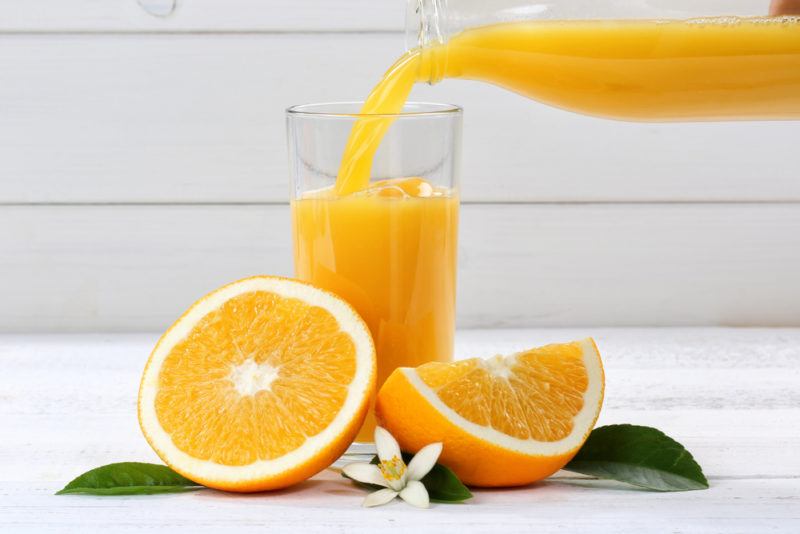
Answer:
x=732 y=396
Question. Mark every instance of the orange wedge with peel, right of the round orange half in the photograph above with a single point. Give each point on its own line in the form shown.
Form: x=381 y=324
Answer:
x=505 y=421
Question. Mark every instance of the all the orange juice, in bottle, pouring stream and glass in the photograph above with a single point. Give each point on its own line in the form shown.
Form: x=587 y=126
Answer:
x=370 y=248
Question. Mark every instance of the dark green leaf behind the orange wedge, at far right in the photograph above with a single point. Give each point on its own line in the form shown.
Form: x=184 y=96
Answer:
x=639 y=455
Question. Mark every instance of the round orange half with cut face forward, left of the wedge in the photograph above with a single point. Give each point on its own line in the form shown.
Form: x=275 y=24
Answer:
x=259 y=385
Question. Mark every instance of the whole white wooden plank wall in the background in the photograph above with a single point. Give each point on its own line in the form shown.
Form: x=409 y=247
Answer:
x=142 y=163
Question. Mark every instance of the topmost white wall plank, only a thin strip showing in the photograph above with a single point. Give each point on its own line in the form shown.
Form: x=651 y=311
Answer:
x=308 y=15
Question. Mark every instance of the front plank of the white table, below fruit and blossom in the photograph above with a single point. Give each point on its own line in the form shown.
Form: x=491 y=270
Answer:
x=330 y=504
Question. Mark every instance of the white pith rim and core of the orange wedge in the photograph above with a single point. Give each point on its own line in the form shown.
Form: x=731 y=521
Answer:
x=582 y=423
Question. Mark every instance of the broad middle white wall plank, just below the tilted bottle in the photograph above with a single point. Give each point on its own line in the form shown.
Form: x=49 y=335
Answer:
x=199 y=118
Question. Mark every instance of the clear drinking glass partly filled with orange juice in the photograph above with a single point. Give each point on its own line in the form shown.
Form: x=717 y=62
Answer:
x=390 y=247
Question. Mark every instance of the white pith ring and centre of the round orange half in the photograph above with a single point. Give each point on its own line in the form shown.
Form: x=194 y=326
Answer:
x=358 y=389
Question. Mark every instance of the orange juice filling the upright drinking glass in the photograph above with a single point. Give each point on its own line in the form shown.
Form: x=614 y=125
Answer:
x=390 y=251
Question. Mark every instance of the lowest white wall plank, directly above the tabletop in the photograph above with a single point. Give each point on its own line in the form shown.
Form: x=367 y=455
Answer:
x=128 y=268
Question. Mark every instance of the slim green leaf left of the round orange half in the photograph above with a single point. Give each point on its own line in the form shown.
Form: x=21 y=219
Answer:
x=129 y=478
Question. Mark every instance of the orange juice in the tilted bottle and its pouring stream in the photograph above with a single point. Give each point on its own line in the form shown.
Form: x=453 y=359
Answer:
x=642 y=70
